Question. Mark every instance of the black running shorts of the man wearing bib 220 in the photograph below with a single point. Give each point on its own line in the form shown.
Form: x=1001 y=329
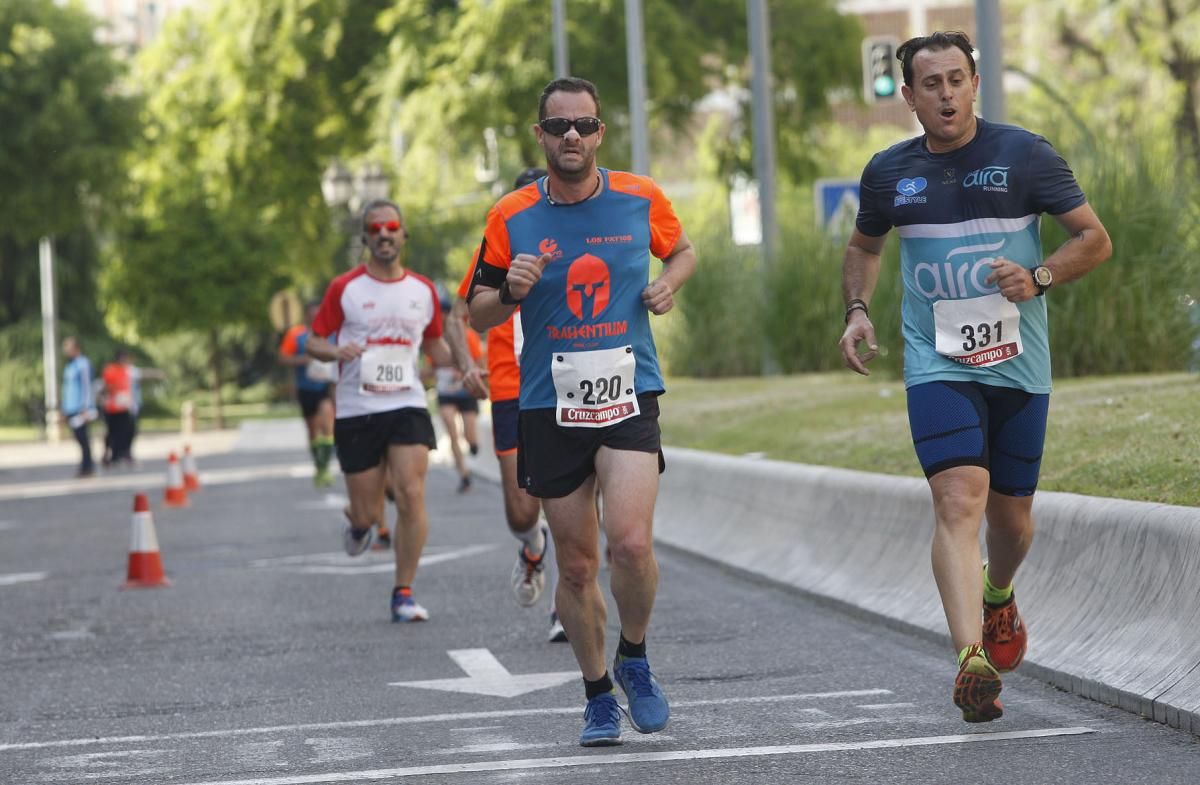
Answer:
x=554 y=462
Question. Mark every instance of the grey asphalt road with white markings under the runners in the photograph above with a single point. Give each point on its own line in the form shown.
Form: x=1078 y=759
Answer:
x=272 y=661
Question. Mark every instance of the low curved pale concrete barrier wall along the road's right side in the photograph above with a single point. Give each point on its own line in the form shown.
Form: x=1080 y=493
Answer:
x=1108 y=591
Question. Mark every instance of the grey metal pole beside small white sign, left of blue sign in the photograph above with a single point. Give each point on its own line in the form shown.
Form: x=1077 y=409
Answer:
x=763 y=94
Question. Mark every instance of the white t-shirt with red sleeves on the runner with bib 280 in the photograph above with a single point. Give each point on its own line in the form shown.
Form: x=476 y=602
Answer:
x=391 y=320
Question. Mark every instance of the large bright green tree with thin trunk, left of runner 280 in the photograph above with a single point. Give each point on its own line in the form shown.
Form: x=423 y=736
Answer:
x=245 y=105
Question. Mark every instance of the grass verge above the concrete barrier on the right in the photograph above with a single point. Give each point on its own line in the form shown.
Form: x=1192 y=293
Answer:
x=1132 y=438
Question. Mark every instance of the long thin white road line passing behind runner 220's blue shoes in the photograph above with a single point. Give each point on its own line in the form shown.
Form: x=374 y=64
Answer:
x=418 y=721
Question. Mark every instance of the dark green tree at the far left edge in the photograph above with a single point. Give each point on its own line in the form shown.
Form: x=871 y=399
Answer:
x=65 y=128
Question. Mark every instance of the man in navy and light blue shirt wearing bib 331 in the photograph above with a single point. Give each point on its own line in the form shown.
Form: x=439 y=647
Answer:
x=967 y=199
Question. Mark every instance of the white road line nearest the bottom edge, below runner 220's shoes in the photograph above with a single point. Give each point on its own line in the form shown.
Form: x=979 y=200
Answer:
x=651 y=758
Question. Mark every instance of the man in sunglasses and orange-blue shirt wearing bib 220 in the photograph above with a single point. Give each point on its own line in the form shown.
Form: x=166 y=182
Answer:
x=573 y=250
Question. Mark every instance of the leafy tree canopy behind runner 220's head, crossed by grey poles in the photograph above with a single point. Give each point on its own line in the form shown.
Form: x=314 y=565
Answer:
x=455 y=70
